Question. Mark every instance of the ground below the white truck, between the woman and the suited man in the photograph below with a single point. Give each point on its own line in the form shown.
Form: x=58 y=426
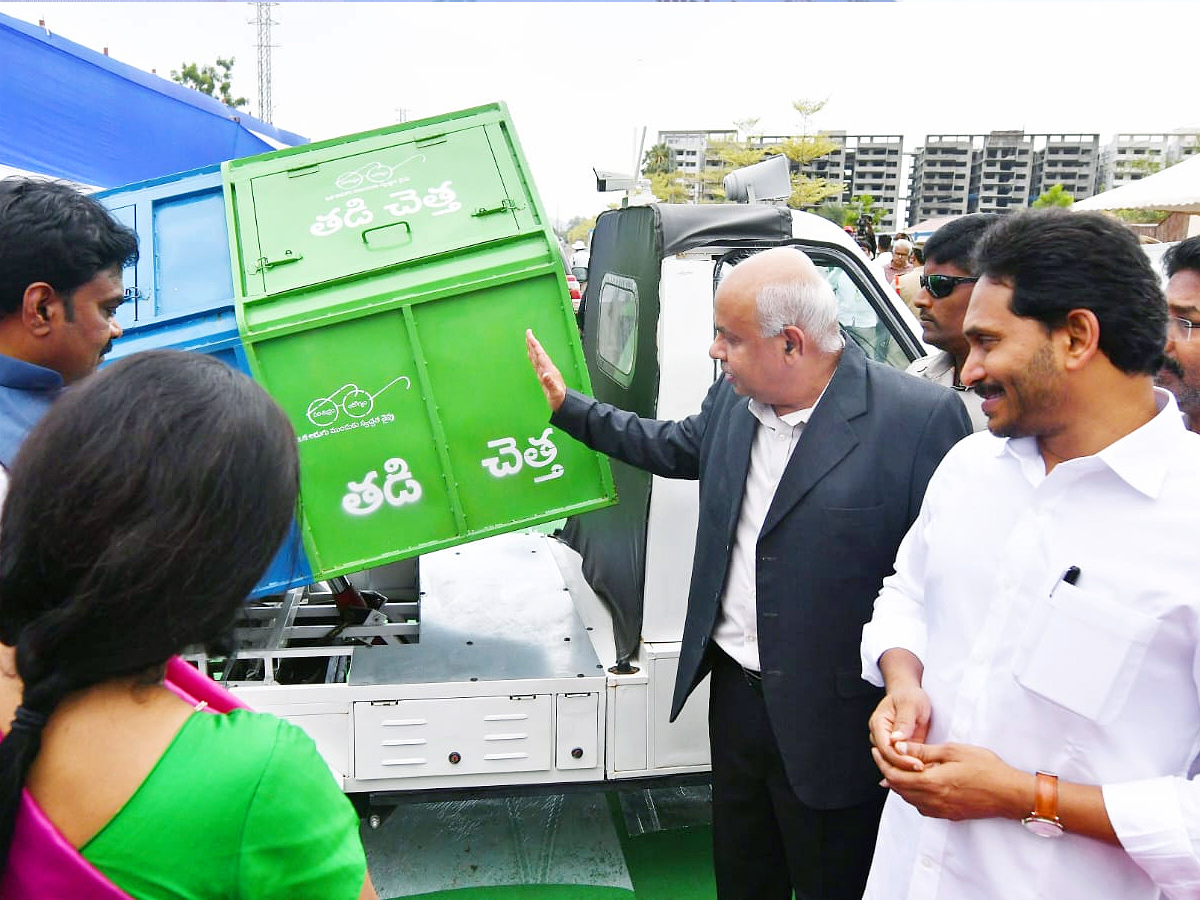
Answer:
x=633 y=845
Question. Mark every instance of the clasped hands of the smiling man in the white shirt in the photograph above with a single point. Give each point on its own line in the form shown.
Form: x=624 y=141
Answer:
x=955 y=782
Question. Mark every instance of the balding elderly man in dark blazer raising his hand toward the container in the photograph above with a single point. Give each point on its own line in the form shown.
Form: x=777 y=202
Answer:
x=813 y=463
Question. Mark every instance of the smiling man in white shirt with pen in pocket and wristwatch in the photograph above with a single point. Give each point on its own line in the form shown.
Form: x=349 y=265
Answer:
x=1040 y=640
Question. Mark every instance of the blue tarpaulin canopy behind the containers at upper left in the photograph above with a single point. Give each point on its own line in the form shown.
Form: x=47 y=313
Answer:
x=76 y=115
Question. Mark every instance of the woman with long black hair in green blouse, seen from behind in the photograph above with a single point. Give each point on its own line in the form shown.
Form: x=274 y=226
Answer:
x=142 y=511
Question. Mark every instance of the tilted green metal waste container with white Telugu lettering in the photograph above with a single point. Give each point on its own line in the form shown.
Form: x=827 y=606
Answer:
x=385 y=283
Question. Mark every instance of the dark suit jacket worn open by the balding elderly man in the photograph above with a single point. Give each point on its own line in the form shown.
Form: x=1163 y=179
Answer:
x=849 y=495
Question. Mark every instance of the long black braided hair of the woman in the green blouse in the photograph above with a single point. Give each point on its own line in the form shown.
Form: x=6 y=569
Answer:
x=142 y=512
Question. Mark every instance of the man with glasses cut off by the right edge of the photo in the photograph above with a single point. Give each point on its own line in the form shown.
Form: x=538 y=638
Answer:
x=1181 y=369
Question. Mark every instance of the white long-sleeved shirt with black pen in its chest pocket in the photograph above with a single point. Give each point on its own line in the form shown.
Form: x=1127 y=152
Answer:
x=1099 y=682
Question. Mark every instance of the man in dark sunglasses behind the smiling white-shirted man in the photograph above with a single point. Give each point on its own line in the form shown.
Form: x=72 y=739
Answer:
x=946 y=287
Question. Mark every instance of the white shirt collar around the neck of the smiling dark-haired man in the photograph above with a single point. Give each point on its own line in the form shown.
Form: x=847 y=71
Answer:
x=1137 y=459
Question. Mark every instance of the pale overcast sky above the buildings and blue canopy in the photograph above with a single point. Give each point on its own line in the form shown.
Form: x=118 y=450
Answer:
x=583 y=80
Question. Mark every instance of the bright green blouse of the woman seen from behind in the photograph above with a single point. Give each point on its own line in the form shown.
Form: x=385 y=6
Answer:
x=241 y=807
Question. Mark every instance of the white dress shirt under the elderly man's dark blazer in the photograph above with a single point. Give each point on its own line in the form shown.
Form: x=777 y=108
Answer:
x=737 y=629
